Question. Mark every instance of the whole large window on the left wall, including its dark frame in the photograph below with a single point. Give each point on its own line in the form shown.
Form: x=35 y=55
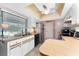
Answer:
x=12 y=25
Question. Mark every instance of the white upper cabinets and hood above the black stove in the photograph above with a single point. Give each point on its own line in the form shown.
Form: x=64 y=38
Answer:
x=72 y=16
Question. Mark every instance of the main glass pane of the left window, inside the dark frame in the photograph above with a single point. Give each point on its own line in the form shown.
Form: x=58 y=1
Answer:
x=15 y=25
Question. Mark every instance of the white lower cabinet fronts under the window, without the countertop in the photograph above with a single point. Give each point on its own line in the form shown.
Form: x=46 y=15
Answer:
x=21 y=48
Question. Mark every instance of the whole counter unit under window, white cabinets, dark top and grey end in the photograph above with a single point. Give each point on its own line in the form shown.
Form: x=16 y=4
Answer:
x=18 y=46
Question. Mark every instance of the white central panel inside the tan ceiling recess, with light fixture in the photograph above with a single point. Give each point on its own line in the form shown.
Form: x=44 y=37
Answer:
x=46 y=6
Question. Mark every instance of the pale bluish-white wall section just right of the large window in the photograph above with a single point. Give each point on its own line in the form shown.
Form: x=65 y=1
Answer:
x=31 y=22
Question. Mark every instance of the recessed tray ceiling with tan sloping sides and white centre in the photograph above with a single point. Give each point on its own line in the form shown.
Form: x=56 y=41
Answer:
x=53 y=10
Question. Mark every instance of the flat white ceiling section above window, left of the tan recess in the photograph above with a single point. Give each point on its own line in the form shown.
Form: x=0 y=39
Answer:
x=16 y=8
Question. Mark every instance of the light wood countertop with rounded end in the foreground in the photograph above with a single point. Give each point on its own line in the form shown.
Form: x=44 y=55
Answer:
x=67 y=47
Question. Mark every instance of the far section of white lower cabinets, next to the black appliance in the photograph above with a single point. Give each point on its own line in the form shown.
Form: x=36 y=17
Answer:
x=28 y=46
